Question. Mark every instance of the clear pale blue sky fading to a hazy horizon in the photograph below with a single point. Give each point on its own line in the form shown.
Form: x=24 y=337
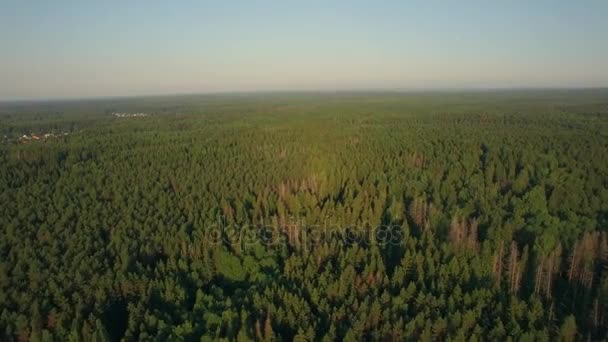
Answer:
x=72 y=49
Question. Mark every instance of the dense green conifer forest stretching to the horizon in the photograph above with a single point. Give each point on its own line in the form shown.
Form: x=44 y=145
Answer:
x=317 y=217
